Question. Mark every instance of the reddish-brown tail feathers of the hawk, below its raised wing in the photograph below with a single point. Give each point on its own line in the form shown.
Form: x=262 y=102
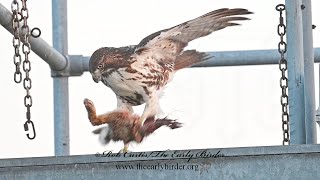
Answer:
x=189 y=58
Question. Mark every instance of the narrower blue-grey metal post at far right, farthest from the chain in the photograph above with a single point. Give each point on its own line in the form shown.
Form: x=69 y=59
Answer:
x=309 y=89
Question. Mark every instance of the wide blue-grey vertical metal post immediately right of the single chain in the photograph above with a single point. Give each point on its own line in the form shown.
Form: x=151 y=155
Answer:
x=295 y=71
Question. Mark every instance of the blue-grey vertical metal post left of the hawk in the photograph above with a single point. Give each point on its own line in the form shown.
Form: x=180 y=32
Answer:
x=60 y=84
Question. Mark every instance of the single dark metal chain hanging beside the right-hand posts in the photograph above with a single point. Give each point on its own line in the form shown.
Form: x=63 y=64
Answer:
x=282 y=48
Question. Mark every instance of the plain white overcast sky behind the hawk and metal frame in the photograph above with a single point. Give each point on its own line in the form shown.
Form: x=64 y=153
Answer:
x=219 y=106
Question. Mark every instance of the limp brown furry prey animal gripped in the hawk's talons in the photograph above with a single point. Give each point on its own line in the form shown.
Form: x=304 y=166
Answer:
x=122 y=125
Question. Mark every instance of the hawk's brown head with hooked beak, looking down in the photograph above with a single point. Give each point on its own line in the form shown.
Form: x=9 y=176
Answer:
x=106 y=60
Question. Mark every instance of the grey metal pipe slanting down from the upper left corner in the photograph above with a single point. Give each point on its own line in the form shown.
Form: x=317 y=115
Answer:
x=50 y=55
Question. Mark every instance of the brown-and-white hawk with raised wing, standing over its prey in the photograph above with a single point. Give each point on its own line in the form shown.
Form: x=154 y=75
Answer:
x=137 y=74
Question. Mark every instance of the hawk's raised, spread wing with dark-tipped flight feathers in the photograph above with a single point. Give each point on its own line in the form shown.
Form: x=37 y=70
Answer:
x=169 y=43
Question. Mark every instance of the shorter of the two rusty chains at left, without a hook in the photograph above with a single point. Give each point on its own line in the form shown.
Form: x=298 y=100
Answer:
x=16 y=41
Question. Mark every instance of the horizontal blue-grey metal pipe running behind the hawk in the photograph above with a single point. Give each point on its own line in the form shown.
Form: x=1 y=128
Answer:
x=225 y=58
